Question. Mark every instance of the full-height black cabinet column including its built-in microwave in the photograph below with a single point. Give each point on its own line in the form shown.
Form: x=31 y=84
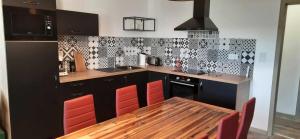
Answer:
x=32 y=71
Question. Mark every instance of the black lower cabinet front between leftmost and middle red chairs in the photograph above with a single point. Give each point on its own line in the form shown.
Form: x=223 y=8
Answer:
x=105 y=96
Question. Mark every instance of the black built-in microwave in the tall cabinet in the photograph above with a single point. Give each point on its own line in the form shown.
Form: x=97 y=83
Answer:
x=24 y=24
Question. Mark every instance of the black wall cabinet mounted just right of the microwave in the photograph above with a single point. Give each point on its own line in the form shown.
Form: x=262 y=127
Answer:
x=77 y=23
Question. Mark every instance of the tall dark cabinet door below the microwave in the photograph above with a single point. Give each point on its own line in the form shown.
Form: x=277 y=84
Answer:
x=32 y=71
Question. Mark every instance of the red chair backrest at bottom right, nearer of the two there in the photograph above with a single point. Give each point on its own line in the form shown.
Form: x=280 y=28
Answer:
x=228 y=126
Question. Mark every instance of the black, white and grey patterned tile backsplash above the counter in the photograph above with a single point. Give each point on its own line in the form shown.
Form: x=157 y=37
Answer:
x=201 y=52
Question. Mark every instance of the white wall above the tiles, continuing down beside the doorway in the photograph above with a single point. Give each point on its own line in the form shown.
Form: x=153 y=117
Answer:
x=235 y=18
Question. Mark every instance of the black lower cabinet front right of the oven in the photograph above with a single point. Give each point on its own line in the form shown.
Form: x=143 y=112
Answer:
x=218 y=93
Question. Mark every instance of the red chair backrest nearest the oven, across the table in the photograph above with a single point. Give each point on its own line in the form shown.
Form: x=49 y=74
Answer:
x=155 y=92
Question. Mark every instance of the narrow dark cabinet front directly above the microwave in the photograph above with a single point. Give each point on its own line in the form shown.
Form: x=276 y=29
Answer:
x=36 y=4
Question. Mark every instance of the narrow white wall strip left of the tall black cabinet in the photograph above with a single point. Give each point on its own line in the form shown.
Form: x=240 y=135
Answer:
x=4 y=106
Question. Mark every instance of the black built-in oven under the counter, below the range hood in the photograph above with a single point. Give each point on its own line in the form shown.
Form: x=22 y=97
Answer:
x=185 y=87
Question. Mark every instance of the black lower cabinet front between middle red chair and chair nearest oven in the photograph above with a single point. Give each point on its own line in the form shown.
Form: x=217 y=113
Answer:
x=140 y=80
